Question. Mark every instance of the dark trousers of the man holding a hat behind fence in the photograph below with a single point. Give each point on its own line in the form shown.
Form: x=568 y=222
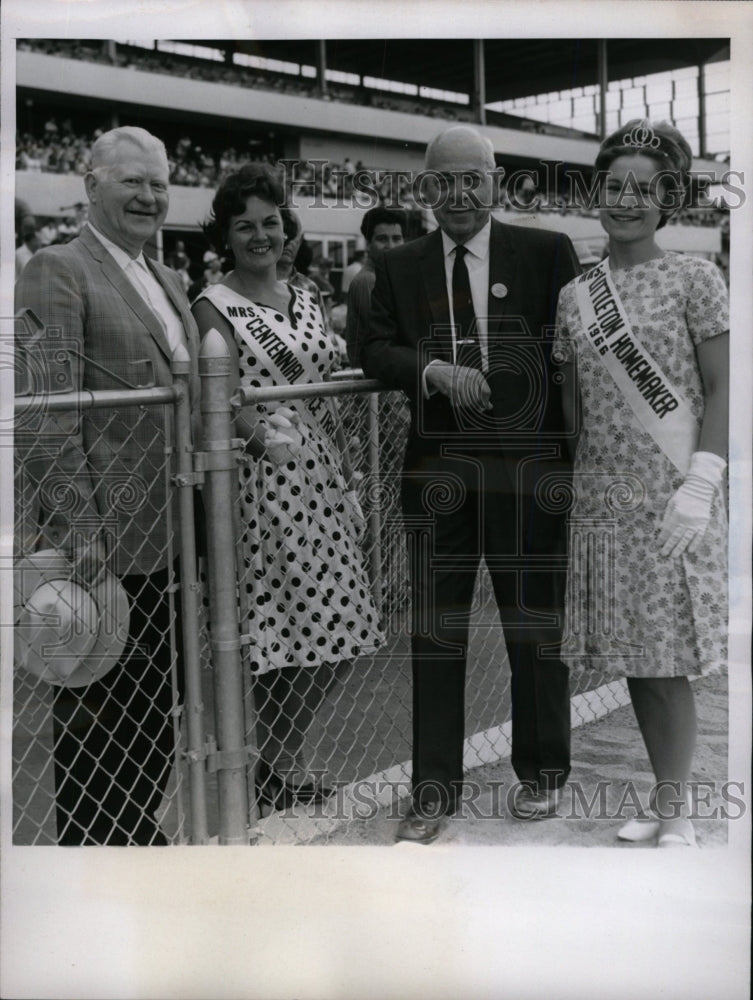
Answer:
x=114 y=739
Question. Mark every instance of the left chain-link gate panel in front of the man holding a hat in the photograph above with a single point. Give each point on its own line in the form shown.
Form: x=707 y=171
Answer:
x=56 y=726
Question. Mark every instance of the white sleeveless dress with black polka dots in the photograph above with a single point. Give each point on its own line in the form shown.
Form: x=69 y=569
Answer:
x=306 y=599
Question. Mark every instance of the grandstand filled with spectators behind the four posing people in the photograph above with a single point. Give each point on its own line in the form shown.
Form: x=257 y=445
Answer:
x=366 y=108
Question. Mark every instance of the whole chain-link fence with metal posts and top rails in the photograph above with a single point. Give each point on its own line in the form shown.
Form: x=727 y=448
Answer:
x=293 y=576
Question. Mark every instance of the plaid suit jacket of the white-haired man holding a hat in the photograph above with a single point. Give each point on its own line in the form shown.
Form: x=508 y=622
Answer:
x=112 y=459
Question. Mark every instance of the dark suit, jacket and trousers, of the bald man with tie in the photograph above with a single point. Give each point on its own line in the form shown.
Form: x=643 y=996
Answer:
x=485 y=485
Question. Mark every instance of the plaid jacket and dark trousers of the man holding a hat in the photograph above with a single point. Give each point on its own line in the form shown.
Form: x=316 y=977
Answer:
x=113 y=739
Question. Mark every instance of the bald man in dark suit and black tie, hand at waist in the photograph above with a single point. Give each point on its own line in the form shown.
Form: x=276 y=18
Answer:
x=459 y=322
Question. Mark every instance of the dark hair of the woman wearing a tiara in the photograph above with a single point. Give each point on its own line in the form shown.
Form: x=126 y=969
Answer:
x=662 y=143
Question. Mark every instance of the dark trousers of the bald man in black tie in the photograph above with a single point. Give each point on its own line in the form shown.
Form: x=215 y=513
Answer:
x=457 y=512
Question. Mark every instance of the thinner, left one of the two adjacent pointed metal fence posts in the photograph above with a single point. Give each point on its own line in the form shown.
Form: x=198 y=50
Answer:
x=184 y=480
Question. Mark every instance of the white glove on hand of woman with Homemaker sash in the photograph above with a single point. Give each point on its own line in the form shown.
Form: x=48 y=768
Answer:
x=689 y=511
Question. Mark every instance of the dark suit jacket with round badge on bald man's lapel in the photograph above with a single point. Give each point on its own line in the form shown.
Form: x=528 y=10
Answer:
x=409 y=326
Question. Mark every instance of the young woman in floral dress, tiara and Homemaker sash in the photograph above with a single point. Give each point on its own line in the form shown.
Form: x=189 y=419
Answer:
x=644 y=337
